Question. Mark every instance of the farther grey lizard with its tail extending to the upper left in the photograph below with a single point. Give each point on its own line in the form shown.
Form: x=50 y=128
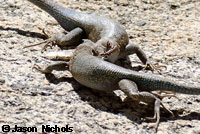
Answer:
x=103 y=31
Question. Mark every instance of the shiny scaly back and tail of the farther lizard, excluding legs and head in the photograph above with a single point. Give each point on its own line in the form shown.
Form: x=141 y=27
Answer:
x=95 y=27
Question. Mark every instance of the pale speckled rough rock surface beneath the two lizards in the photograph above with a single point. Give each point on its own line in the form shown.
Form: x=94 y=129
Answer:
x=167 y=30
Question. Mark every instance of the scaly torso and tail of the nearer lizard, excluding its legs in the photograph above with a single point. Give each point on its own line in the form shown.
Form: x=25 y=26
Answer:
x=97 y=74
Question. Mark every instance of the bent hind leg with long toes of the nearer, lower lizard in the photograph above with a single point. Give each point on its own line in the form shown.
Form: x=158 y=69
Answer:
x=131 y=90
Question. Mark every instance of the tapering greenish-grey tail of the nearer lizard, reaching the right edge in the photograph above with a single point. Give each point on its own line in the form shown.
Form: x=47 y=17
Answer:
x=154 y=82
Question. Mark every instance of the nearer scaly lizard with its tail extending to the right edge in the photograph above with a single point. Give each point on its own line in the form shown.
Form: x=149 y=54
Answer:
x=95 y=73
